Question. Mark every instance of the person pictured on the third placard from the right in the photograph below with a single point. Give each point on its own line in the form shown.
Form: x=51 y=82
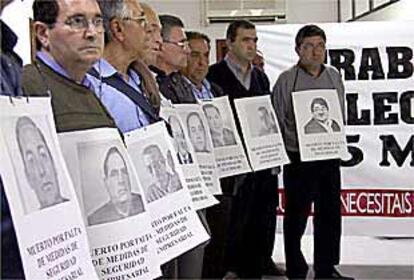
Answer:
x=221 y=135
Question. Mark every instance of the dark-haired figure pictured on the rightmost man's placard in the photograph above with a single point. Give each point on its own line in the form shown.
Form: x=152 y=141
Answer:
x=320 y=121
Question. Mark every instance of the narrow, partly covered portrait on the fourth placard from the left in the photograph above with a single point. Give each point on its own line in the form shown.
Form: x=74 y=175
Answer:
x=184 y=155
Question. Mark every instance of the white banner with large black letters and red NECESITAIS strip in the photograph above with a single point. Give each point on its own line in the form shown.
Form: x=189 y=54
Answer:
x=375 y=60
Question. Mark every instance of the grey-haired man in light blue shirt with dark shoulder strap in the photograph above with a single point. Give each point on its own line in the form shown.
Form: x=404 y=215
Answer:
x=116 y=83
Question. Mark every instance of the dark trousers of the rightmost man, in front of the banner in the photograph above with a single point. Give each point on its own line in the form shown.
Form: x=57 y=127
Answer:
x=316 y=182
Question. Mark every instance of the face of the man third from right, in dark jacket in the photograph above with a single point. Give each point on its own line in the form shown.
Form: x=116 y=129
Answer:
x=198 y=61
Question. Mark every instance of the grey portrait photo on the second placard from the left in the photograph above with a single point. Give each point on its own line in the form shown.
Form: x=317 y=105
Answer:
x=107 y=184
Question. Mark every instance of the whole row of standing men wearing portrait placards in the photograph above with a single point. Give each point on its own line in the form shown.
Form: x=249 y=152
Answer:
x=108 y=63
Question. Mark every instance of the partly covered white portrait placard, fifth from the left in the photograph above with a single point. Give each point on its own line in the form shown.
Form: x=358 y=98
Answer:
x=193 y=119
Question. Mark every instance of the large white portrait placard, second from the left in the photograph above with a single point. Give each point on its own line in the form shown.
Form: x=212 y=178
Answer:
x=112 y=203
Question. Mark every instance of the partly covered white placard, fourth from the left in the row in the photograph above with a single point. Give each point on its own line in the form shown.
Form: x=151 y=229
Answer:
x=200 y=194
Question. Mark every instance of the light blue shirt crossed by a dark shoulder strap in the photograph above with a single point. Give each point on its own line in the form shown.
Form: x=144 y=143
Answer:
x=127 y=115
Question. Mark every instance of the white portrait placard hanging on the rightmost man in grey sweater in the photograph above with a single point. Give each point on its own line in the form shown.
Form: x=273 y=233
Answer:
x=319 y=124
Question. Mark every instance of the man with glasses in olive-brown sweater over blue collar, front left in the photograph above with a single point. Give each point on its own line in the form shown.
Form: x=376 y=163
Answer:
x=69 y=40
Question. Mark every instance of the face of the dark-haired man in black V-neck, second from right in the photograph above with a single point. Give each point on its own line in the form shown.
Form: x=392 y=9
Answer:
x=245 y=45
